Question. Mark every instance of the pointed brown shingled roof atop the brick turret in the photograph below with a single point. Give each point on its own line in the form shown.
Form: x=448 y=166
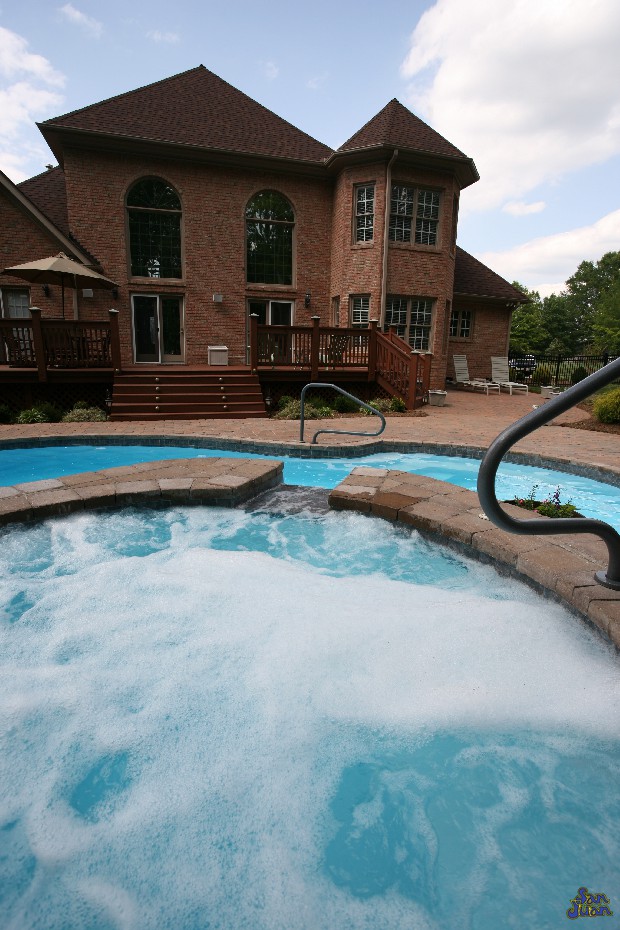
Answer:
x=397 y=126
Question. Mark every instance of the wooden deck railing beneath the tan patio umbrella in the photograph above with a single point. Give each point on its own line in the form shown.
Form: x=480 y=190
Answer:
x=51 y=344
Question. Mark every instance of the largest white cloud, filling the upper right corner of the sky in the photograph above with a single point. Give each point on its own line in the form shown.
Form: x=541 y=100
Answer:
x=527 y=88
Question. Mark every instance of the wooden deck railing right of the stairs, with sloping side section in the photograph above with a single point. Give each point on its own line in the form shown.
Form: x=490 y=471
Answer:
x=384 y=358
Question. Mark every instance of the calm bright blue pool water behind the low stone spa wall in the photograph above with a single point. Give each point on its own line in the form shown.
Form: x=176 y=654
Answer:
x=593 y=498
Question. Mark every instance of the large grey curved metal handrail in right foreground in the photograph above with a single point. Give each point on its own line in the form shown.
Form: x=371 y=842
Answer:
x=555 y=526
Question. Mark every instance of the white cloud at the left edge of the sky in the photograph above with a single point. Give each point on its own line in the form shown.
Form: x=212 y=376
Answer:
x=29 y=90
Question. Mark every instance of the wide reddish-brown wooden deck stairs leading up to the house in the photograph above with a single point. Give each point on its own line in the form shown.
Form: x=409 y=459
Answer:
x=185 y=393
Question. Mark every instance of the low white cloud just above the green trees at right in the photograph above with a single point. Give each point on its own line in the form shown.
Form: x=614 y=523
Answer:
x=543 y=262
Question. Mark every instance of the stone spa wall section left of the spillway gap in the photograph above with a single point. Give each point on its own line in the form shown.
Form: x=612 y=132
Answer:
x=220 y=482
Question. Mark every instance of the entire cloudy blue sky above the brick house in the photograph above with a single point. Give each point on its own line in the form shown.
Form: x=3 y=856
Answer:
x=527 y=88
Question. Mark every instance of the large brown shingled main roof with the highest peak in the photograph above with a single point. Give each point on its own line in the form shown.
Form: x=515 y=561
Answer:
x=196 y=108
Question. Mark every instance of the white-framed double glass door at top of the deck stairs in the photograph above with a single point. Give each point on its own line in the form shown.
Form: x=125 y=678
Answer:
x=158 y=329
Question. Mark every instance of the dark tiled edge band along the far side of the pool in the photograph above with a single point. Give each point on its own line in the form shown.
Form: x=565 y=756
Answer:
x=604 y=474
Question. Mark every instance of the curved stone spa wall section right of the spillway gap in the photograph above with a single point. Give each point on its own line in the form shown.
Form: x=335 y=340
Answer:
x=561 y=565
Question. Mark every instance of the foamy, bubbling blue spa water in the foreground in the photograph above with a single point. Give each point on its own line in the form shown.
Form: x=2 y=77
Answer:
x=218 y=719
